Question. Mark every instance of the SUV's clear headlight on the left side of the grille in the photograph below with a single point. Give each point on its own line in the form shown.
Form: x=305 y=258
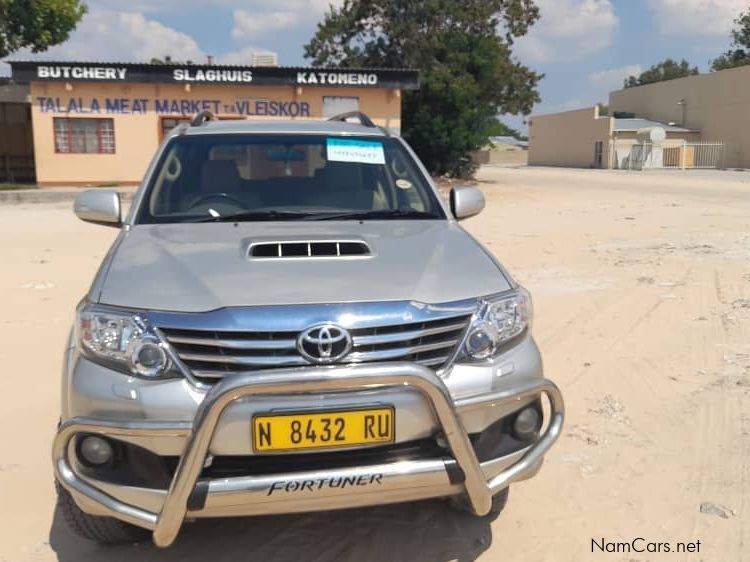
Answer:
x=122 y=341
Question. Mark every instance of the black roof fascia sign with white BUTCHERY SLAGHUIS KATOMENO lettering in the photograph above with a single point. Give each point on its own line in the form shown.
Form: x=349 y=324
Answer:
x=25 y=72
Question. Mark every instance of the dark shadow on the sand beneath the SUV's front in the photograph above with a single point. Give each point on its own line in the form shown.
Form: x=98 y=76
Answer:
x=426 y=531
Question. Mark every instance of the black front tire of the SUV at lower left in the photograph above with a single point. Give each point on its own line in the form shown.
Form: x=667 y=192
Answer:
x=104 y=530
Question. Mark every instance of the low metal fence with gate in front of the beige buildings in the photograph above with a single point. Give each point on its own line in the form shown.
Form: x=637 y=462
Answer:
x=675 y=155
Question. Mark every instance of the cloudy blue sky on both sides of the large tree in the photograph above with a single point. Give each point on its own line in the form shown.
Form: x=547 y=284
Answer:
x=584 y=47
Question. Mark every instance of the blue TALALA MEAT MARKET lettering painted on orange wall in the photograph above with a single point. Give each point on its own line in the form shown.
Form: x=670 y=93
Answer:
x=170 y=106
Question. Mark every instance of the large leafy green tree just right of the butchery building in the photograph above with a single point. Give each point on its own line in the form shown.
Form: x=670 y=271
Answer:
x=463 y=49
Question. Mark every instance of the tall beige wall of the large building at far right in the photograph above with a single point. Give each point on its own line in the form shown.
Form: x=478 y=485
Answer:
x=717 y=104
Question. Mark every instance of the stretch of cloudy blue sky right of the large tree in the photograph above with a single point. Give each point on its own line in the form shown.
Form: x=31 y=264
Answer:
x=586 y=48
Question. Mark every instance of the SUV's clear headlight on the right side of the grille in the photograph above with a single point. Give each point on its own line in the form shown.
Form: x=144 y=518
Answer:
x=500 y=319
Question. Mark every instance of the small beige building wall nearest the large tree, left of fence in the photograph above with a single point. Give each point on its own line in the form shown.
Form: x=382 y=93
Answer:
x=567 y=138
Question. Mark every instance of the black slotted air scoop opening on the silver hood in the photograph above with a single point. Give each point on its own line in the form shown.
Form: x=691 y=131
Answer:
x=312 y=249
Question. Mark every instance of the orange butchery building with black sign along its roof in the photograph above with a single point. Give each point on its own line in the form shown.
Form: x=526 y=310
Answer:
x=100 y=123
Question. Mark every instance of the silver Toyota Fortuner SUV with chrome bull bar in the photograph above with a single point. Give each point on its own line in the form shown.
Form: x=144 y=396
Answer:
x=291 y=319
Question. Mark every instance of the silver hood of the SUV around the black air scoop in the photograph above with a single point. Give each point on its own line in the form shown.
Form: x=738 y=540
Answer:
x=205 y=266
